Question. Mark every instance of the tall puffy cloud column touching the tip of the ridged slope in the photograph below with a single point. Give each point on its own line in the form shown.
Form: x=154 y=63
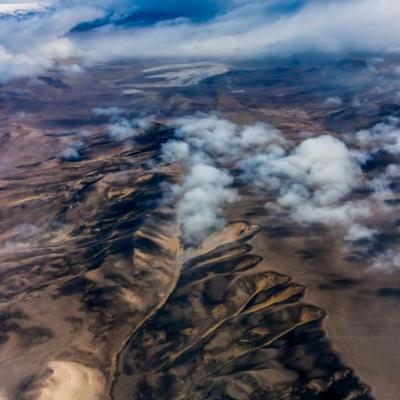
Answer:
x=204 y=143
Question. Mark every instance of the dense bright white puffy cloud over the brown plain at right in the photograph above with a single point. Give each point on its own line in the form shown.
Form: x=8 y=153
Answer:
x=312 y=181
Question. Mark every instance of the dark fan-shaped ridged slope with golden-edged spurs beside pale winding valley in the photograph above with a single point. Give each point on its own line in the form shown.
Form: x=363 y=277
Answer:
x=227 y=332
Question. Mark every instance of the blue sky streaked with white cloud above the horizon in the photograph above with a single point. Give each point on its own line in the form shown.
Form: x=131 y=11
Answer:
x=94 y=30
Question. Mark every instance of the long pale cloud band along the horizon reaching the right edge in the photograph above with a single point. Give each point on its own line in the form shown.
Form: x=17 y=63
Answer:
x=248 y=30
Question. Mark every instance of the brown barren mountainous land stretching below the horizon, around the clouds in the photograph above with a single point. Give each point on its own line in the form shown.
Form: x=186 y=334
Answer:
x=103 y=297
